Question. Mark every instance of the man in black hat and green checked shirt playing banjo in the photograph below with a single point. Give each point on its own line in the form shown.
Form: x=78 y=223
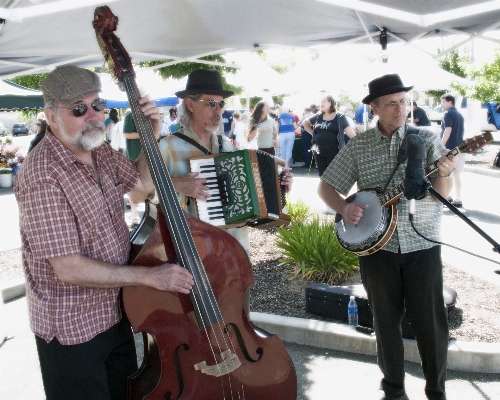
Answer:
x=407 y=272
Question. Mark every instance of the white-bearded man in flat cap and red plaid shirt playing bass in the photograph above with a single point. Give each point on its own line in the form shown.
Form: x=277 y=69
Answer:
x=75 y=242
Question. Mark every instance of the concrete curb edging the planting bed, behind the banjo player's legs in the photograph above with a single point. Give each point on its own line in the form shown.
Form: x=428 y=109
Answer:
x=462 y=356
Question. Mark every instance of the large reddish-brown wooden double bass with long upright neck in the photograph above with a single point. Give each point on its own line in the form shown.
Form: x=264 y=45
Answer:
x=201 y=345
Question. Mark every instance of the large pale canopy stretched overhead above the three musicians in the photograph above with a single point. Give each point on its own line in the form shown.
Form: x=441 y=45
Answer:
x=39 y=35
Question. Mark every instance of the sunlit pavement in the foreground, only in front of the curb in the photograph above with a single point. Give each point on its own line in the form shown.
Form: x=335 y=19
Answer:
x=322 y=373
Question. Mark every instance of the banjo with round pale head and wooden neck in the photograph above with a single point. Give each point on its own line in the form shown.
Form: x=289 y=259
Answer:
x=379 y=220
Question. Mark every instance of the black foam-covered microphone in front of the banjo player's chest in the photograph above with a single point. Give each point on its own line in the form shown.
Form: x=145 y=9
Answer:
x=415 y=183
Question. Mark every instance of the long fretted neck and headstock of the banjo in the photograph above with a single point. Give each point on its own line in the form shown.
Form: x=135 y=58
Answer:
x=469 y=146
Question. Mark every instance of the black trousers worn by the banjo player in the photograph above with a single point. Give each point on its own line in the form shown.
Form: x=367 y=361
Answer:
x=393 y=282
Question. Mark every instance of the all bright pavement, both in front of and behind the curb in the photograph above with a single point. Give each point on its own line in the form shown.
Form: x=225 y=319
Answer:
x=321 y=373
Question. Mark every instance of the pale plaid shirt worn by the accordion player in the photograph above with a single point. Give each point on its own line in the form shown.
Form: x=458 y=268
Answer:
x=176 y=153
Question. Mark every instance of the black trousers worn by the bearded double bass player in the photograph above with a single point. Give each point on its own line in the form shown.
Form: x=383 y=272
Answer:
x=97 y=369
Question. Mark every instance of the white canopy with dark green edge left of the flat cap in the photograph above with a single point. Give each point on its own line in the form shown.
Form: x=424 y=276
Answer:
x=14 y=97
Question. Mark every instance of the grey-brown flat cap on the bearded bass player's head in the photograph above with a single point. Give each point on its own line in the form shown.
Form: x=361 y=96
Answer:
x=68 y=84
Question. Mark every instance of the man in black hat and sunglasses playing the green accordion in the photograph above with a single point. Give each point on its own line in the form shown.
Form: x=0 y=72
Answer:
x=201 y=114
